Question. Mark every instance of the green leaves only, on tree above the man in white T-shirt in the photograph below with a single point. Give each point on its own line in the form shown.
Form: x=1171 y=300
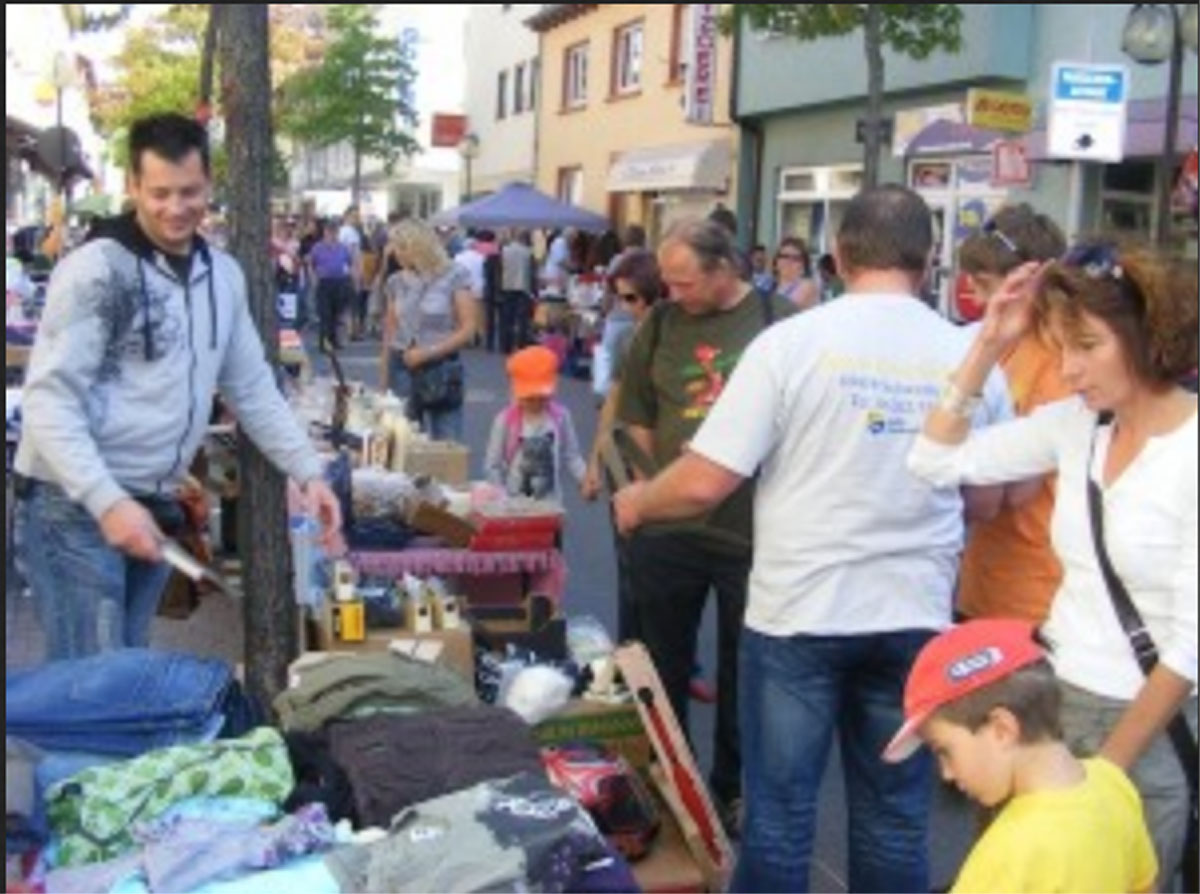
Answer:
x=915 y=31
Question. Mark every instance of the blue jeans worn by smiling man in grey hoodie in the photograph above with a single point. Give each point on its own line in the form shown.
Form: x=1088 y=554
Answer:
x=89 y=597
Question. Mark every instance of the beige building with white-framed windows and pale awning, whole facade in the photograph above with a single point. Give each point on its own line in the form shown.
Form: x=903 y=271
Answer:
x=614 y=134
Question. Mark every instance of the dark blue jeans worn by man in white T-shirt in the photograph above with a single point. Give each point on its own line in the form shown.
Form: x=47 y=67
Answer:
x=796 y=693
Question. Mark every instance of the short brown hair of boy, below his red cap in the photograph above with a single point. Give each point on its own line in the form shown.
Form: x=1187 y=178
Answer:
x=1030 y=693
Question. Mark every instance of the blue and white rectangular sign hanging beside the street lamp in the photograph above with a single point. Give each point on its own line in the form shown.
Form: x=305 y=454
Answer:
x=1088 y=112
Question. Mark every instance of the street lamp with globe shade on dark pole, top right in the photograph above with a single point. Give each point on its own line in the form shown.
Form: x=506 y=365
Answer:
x=1155 y=34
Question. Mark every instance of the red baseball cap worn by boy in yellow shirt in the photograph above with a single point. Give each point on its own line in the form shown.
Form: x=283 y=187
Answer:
x=956 y=663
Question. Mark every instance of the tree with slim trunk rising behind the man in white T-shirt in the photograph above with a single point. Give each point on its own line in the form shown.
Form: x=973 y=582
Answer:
x=915 y=31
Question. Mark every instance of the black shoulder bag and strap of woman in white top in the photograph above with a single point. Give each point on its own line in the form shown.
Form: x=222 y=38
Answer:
x=1147 y=653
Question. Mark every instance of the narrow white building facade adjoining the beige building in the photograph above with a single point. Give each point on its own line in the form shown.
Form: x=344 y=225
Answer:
x=503 y=80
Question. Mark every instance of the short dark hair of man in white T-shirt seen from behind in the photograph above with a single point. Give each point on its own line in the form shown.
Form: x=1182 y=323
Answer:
x=886 y=229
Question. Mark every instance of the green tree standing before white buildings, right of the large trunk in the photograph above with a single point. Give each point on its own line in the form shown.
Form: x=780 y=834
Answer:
x=356 y=94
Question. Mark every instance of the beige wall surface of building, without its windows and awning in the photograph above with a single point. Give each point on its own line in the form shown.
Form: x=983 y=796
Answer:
x=593 y=137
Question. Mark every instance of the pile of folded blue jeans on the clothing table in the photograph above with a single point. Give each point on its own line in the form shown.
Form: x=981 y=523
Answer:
x=125 y=704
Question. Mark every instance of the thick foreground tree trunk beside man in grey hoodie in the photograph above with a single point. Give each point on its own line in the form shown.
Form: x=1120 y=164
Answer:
x=271 y=611
